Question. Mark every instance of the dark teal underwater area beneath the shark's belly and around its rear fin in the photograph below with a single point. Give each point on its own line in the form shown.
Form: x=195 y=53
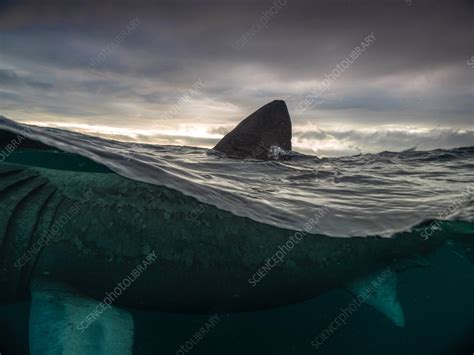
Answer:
x=438 y=301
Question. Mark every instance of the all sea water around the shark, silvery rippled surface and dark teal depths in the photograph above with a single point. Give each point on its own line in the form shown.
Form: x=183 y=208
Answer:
x=367 y=195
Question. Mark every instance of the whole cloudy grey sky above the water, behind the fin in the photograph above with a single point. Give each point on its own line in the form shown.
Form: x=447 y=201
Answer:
x=357 y=76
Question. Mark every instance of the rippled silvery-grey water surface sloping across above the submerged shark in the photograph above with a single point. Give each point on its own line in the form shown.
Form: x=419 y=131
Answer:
x=365 y=195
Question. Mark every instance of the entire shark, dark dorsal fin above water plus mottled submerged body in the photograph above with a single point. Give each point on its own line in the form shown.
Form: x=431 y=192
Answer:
x=68 y=237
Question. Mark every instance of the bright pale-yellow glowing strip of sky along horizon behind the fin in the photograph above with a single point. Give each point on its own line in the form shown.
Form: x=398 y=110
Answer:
x=308 y=138
